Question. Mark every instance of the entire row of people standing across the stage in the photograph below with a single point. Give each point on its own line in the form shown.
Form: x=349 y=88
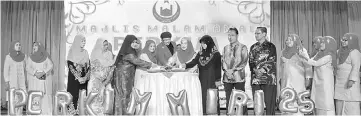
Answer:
x=332 y=74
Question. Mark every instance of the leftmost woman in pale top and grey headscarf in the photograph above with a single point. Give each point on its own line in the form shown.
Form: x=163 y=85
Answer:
x=14 y=71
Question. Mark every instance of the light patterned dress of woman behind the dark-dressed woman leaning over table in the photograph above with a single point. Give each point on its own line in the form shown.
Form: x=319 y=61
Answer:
x=97 y=83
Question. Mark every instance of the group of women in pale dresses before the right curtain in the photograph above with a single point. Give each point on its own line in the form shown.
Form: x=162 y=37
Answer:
x=333 y=75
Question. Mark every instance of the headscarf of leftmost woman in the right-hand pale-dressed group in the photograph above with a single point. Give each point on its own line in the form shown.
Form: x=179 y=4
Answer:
x=288 y=52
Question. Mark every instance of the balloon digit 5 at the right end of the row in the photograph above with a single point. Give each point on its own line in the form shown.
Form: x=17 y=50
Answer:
x=307 y=105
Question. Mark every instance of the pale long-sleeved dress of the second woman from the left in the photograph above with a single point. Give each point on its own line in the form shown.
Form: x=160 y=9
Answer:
x=44 y=86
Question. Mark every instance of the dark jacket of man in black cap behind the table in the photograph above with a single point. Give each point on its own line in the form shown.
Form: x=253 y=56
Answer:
x=163 y=53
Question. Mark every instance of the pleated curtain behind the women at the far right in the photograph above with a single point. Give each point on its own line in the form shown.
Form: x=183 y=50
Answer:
x=309 y=19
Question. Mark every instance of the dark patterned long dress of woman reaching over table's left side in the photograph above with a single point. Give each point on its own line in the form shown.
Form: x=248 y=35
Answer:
x=123 y=80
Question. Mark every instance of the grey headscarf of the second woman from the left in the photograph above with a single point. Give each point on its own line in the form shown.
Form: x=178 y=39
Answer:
x=41 y=55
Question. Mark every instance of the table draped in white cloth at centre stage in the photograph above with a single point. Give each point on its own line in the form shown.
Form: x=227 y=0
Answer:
x=171 y=82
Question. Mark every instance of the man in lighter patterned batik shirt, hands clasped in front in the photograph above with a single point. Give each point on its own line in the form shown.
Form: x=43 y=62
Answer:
x=235 y=57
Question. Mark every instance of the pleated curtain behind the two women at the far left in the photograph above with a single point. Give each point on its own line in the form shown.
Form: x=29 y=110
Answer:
x=30 y=21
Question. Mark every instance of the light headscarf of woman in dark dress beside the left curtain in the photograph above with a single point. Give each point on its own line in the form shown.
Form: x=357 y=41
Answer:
x=76 y=53
